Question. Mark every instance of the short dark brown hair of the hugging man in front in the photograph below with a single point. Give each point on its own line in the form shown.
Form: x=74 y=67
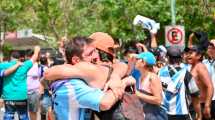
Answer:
x=74 y=47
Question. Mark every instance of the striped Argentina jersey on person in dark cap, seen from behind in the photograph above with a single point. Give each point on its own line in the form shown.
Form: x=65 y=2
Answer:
x=175 y=86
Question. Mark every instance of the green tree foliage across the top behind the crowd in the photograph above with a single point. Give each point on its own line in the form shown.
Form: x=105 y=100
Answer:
x=82 y=17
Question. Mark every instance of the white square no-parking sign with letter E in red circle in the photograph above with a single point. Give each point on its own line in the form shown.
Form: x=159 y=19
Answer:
x=175 y=36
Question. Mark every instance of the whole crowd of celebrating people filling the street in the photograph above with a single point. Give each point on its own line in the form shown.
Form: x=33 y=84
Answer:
x=164 y=83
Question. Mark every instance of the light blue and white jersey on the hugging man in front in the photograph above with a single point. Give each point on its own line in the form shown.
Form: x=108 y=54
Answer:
x=73 y=99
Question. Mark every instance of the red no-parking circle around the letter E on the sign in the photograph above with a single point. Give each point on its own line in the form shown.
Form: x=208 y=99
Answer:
x=176 y=31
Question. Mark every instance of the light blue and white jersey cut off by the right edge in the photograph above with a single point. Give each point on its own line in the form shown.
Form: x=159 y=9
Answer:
x=210 y=65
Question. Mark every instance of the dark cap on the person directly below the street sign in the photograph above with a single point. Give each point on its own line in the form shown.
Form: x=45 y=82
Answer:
x=173 y=51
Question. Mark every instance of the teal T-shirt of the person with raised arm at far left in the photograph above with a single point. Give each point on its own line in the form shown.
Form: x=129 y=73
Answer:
x=14 y=85
